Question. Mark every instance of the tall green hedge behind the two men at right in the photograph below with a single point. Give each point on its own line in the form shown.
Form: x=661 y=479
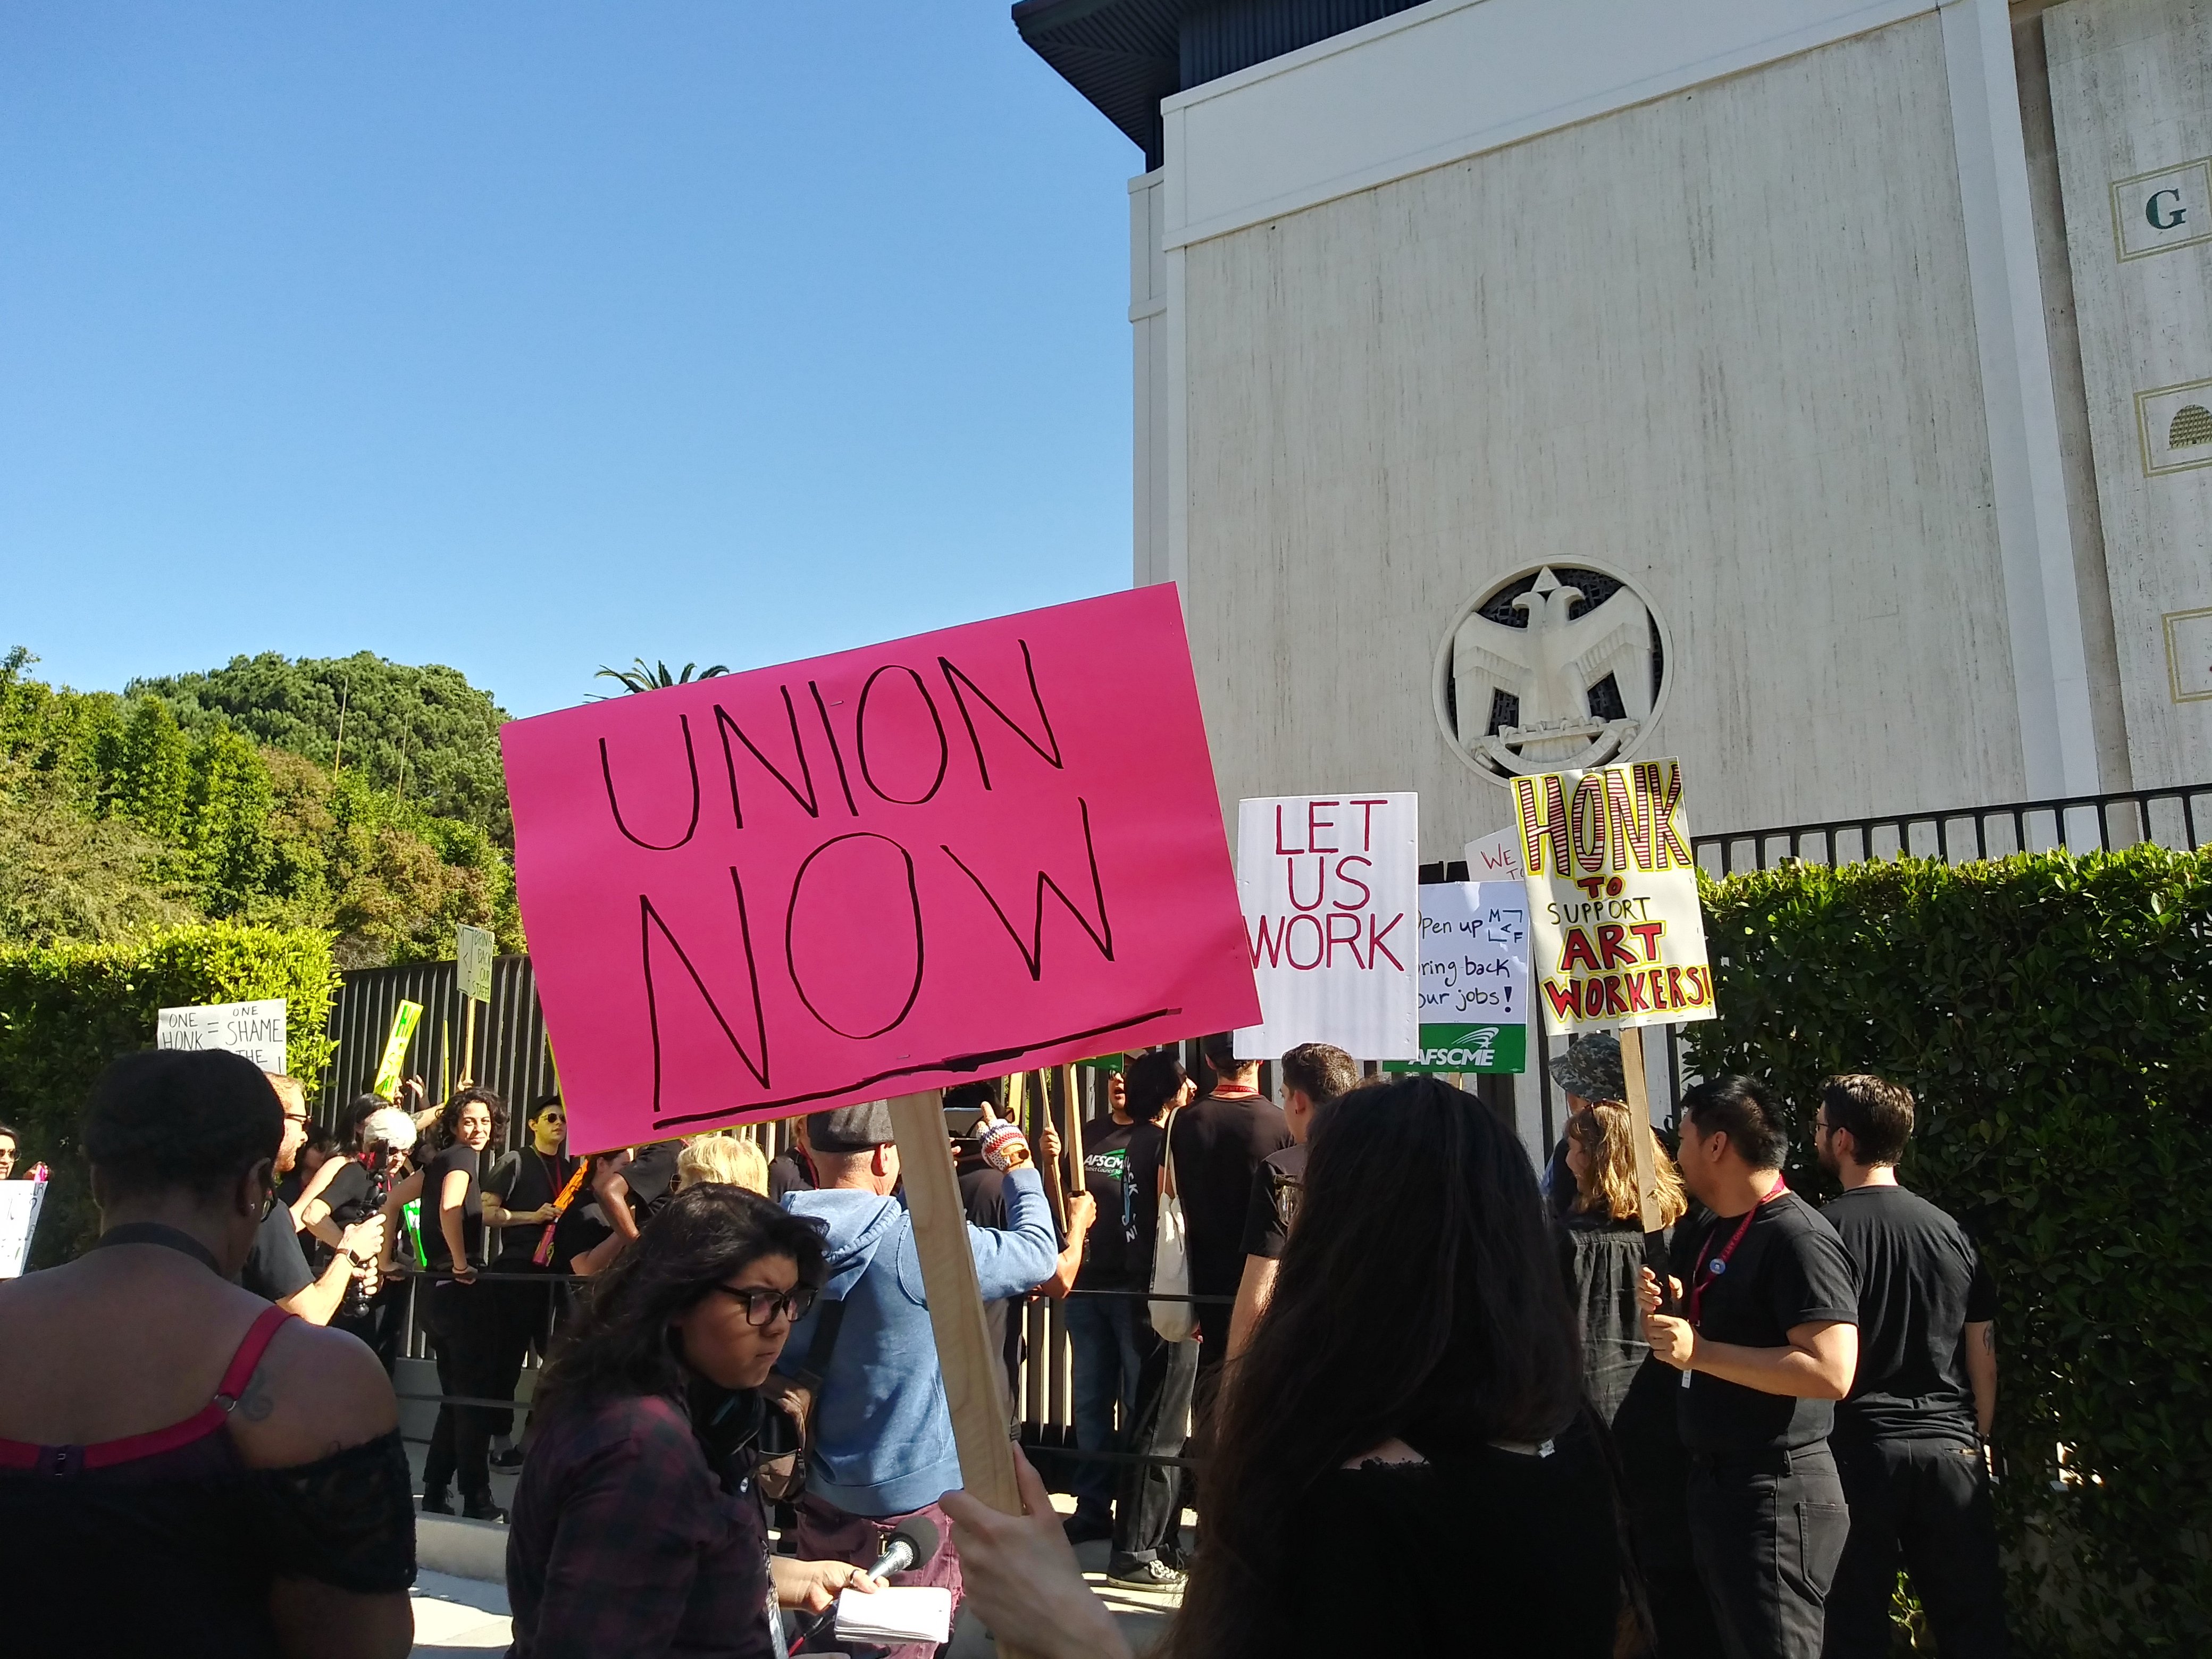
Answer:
x=2054 y=1019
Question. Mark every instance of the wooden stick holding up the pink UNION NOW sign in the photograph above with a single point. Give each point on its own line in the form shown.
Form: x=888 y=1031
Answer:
x=974 y=1368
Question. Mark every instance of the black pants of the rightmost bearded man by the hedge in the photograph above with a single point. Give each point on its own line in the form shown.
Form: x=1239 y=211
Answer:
x=1921 y=1505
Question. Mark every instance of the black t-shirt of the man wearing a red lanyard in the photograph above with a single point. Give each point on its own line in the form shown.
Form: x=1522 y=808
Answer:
x=1788 y=1271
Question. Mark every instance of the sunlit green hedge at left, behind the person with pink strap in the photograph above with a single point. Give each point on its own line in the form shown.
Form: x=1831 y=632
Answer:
x=65 y=1012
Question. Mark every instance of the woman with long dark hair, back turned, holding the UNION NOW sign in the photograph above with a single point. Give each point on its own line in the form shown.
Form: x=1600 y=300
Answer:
x=1419 y=1472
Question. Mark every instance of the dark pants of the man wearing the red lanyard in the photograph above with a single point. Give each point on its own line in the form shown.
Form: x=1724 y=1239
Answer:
x=1768 y=1532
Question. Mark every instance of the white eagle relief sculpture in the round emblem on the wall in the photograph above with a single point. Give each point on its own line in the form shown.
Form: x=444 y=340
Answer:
x=1523 y=698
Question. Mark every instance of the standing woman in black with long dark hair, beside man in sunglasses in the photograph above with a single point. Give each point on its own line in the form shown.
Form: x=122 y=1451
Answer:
x=459 y=1313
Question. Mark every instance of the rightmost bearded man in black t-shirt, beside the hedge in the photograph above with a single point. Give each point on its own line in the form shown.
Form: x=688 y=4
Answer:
x=1910 y=1434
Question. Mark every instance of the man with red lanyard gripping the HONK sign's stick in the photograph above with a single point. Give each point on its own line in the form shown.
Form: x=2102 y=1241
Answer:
x=1766 y=1346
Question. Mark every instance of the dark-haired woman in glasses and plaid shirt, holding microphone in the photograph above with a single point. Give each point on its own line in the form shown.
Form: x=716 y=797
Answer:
x=638 y=1525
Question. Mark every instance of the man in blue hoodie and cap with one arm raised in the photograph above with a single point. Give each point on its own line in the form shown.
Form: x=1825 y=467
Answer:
x=884 y=1439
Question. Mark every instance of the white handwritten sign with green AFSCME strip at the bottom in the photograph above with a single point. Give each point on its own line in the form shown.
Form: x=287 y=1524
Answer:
x=1474 y=979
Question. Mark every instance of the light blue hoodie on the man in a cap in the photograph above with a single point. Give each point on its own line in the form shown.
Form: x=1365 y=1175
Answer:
x=884 y=1441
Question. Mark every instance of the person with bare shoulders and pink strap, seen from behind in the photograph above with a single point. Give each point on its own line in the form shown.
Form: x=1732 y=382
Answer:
x=185 y=1468
